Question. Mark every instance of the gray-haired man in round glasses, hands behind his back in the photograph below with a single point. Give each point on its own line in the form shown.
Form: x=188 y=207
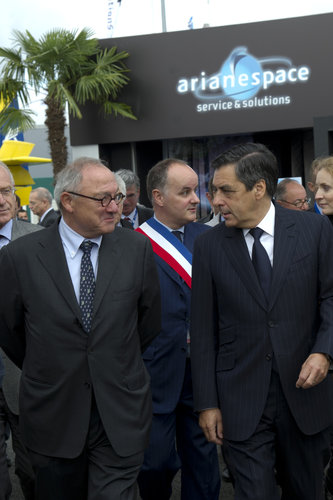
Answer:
x=83 y=304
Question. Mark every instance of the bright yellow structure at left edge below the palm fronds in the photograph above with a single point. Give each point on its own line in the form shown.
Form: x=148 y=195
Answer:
x=15 y=154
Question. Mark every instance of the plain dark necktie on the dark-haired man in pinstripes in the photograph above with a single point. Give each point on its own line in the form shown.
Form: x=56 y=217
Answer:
x=261 y=262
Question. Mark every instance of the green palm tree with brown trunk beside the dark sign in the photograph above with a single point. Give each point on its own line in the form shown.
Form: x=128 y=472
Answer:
x=68 y=68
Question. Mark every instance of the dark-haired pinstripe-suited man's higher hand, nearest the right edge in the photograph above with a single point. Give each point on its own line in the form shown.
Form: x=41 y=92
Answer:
x=314 y=370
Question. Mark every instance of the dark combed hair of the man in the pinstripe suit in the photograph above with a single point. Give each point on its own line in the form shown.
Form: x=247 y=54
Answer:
x=253 y=162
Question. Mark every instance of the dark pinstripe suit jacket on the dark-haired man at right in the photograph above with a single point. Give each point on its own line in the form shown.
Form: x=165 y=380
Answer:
x=236 y=334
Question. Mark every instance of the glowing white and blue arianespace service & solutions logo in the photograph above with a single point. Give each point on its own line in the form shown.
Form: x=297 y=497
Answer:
x=244 y=82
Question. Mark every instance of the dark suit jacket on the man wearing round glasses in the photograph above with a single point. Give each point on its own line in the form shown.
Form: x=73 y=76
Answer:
x=41 y=330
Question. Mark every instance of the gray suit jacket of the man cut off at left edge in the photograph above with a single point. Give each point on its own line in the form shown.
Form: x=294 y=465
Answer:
x=11 y=382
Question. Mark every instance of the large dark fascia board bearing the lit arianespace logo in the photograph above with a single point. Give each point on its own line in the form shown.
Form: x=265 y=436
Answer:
x=240 y=79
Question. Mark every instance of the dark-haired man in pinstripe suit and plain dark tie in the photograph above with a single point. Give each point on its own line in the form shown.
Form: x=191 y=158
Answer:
x=262 y=332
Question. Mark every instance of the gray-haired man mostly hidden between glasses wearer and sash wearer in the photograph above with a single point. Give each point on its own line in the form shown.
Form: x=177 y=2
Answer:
x=133 y=214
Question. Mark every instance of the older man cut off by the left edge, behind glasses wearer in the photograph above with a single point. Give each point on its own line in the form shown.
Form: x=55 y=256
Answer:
x=11 y=229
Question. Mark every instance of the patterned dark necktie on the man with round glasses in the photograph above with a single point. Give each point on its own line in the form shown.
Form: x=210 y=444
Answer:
x=87 y=285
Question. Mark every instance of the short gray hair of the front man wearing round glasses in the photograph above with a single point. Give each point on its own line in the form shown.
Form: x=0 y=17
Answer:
x=70 y=177
